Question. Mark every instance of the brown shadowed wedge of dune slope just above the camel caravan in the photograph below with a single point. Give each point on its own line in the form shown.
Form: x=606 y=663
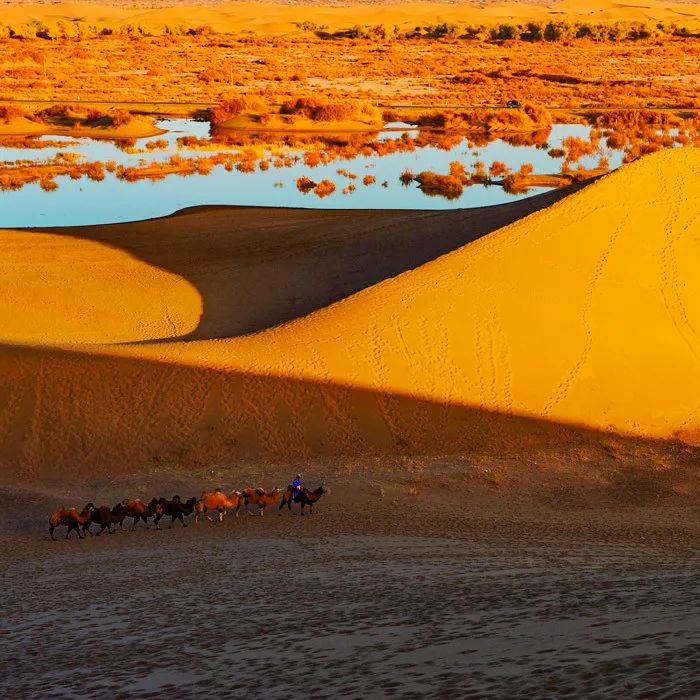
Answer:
x=71 y=413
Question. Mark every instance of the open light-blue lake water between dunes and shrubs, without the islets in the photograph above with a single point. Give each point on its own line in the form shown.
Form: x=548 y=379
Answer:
x=84 y=201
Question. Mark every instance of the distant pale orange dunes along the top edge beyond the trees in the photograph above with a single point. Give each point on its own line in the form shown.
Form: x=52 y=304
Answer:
x=272 y=18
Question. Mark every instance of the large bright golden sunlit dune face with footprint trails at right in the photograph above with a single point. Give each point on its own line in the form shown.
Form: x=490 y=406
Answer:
x=587 y=312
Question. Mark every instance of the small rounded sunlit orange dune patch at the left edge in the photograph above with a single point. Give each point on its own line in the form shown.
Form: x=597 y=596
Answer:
x=68 y=290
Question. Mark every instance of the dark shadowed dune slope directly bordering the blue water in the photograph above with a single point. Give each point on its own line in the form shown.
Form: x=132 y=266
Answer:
x=258 y=267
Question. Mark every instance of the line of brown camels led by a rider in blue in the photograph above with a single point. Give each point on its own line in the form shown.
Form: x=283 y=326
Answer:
x=106 y=518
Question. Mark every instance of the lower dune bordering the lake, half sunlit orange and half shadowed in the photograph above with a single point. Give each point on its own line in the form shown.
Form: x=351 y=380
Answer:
x=217 y=272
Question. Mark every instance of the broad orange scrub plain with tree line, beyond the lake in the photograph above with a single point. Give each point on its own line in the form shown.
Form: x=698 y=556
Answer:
x=570 y=67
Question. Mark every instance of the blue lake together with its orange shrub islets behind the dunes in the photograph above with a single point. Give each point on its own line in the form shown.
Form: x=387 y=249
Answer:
x=145 y=178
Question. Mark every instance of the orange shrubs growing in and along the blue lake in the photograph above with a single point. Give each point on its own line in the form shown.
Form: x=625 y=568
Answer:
x=634 y=132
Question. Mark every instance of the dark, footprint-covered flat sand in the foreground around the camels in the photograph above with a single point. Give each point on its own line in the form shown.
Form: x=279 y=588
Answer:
x=462 y=584
